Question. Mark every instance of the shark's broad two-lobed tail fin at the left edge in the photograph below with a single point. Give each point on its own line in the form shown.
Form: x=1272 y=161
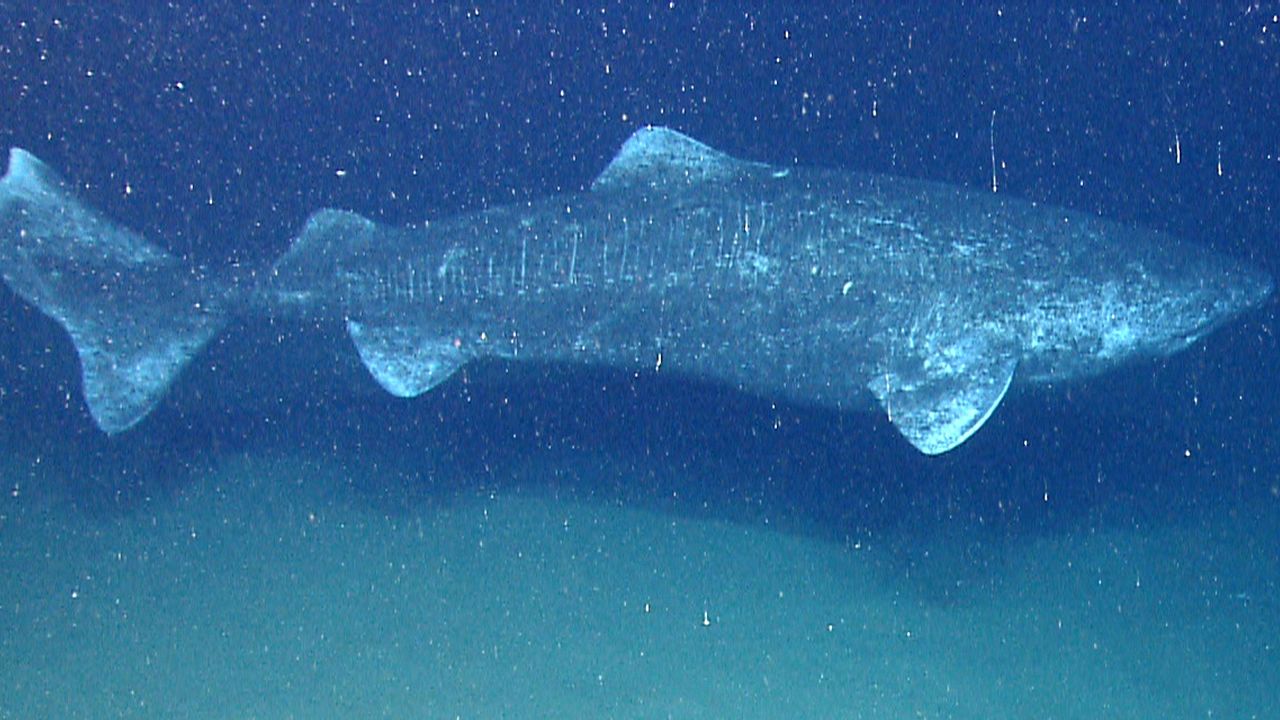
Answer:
x=135 y=313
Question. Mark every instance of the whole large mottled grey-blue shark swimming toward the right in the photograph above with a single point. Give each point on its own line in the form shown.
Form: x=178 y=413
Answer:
x=820 y=286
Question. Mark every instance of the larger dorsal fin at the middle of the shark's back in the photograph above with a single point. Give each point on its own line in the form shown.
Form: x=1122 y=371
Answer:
x=656 y=157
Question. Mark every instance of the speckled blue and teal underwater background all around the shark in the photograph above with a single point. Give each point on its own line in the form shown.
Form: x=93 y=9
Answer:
x=281 y=539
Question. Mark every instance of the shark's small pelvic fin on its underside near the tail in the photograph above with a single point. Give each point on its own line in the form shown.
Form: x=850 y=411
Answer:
x=406 y=361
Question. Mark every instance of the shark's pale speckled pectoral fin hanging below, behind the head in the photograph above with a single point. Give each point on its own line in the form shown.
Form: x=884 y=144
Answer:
x=940 y=400
